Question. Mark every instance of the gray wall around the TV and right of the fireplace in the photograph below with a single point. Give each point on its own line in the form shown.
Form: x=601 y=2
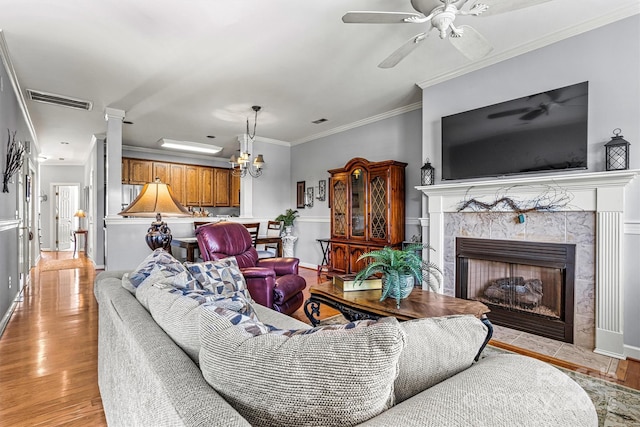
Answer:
x=609 y=58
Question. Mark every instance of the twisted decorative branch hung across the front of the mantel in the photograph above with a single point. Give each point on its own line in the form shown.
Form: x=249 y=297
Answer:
x=552 y=199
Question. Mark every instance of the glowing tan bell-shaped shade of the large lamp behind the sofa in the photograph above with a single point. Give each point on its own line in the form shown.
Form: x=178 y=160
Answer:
x=155 y=198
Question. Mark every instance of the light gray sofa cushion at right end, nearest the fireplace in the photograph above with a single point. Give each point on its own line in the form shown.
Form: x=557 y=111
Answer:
x=437 y=348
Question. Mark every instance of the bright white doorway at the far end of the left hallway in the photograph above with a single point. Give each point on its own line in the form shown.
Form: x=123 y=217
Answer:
x=66 y=202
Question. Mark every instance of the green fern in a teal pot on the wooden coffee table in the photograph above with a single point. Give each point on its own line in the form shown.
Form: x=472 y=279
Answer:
x=399 y=268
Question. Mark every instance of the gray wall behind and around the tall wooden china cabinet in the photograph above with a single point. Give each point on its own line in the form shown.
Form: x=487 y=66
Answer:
x=395 y=138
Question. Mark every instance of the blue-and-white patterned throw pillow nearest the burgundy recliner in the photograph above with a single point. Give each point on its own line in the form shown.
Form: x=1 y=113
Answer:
x=222 y=277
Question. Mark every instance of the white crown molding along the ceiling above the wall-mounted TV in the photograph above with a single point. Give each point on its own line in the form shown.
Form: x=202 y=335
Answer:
x=609 y=18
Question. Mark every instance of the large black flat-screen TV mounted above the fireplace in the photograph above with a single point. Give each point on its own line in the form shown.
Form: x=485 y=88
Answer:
x=537 y=133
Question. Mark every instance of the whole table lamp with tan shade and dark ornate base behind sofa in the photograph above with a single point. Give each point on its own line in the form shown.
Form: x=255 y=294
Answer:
x=156 y=199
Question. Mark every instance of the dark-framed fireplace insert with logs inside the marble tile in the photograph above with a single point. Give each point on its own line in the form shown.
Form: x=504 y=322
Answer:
x=528 y=286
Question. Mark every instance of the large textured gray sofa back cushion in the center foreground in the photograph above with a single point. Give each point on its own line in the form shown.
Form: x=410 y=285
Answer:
x=332 y=378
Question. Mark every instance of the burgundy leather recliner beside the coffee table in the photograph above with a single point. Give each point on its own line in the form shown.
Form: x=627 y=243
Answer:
x=272 y=282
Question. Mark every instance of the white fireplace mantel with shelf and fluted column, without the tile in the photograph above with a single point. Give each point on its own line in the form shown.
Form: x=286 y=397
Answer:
x=599 y=192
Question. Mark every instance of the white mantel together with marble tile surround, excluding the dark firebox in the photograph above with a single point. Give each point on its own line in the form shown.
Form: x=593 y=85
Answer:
x=598 y=195
